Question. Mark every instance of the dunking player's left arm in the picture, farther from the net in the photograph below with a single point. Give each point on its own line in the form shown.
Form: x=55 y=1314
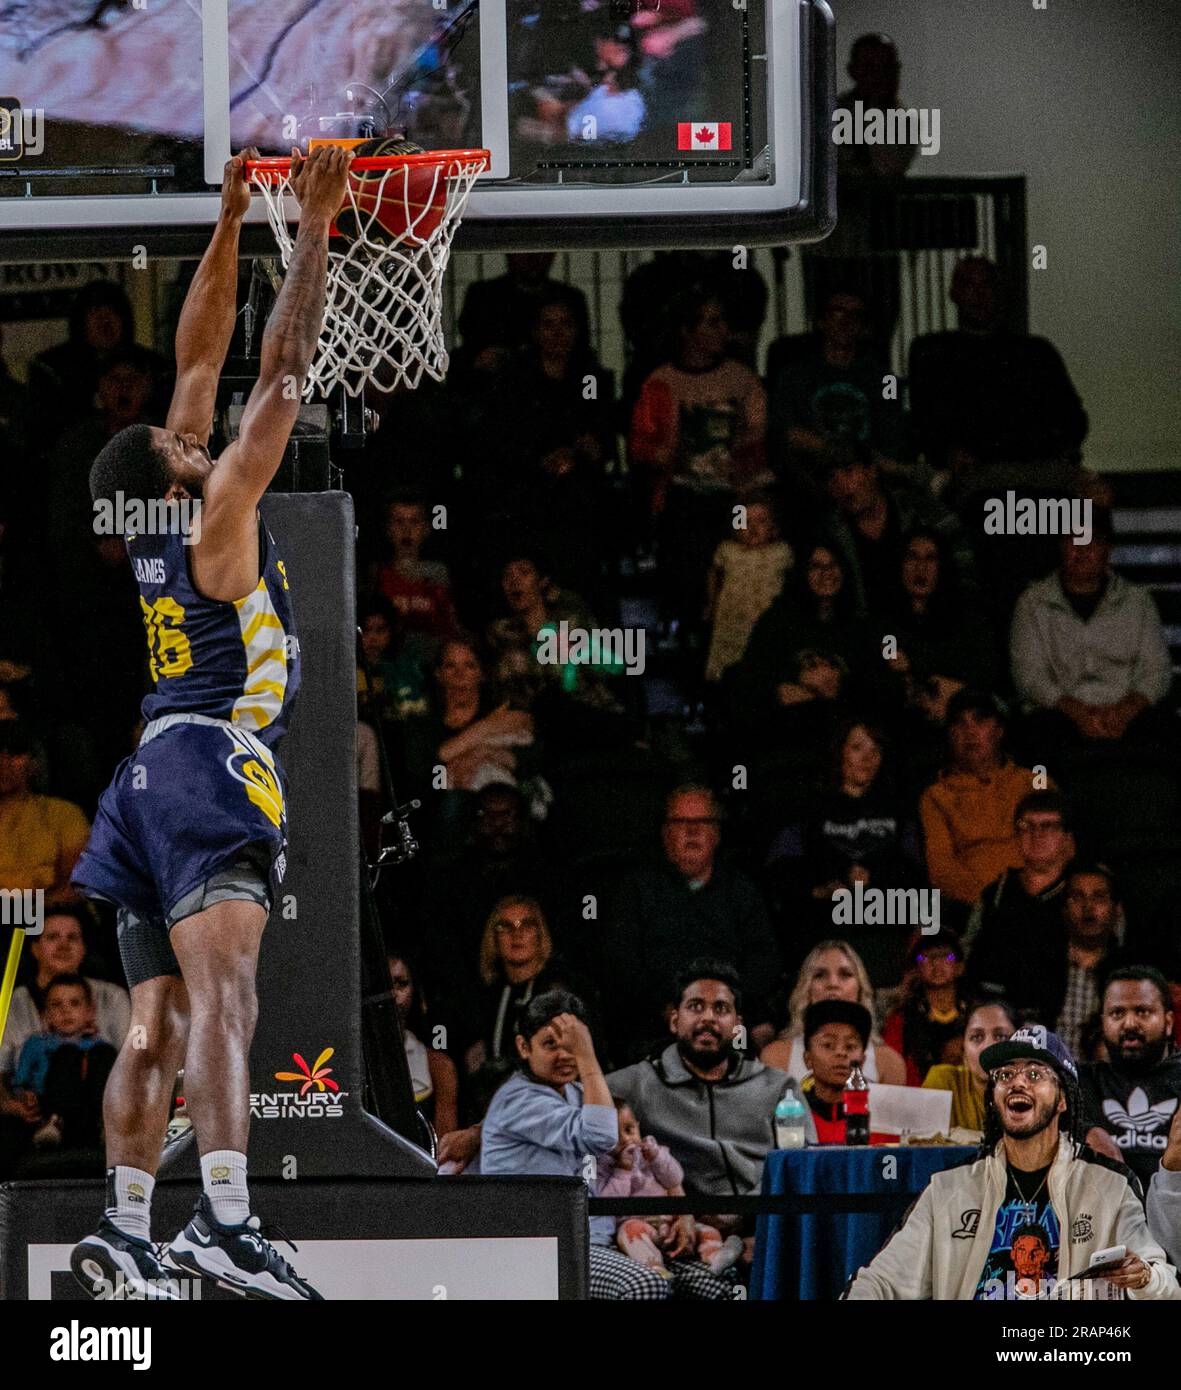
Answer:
x=206 y=326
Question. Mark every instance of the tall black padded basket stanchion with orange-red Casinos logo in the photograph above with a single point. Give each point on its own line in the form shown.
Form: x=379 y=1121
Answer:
x=308 y=1118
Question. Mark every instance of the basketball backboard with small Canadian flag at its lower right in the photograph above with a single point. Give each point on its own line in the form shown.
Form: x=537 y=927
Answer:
x=609 y=122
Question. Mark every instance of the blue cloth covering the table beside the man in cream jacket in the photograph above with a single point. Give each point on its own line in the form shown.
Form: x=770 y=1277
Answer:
x=815 y=1257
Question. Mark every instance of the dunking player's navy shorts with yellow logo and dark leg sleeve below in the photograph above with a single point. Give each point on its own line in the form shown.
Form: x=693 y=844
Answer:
x=195 y=817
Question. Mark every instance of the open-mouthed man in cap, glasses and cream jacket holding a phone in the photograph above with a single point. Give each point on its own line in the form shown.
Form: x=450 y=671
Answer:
x=1026 y=1218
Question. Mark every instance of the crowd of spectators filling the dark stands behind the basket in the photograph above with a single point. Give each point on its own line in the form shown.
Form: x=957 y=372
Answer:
x=834 y=694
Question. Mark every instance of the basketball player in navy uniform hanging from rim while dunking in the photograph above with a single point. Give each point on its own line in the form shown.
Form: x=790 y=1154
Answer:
x=190 y=837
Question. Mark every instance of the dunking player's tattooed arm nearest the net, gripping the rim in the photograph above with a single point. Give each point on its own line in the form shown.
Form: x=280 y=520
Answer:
x=248 y=466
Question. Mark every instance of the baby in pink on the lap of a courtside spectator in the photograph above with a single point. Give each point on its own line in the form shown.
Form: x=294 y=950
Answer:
x=638 y=1167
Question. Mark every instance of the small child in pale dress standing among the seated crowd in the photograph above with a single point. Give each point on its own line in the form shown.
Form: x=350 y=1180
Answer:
x=747 y=576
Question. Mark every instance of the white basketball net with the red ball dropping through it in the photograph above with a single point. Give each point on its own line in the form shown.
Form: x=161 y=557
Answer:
x=386 y=294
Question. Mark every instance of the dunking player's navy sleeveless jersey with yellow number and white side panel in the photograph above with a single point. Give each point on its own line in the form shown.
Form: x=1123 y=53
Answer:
x=234 y=661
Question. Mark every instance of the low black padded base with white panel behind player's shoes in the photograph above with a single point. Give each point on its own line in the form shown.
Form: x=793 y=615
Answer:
x=448 y=1239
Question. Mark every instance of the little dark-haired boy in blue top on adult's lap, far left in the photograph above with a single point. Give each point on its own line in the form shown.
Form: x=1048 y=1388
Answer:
x=65 y=1070
